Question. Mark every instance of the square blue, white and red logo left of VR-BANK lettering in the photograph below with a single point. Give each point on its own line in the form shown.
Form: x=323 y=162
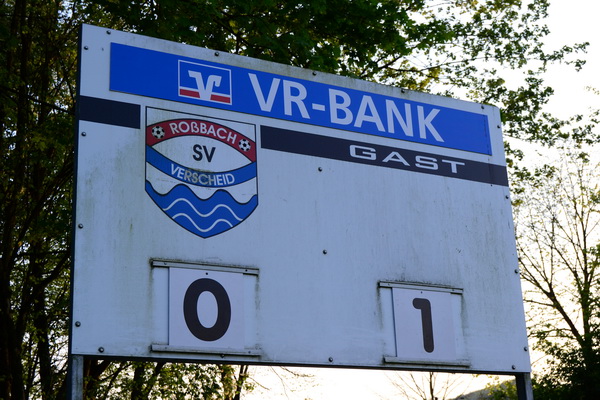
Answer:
x=203 y=82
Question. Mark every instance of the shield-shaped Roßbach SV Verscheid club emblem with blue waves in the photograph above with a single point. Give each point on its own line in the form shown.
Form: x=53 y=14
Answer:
x=202 y=172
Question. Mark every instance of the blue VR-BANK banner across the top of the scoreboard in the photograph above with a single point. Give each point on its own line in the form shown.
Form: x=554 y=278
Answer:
x=172 y=77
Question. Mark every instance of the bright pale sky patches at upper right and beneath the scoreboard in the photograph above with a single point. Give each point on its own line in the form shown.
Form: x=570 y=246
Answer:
x=570 y=22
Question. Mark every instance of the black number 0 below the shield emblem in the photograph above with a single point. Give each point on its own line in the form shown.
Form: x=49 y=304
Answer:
x=190 y=309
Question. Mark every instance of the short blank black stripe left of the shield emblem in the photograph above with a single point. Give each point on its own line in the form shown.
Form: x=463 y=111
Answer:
x=109 y=112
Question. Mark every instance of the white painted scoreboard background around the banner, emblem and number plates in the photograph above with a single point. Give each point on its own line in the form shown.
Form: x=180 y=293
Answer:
x=324 y=236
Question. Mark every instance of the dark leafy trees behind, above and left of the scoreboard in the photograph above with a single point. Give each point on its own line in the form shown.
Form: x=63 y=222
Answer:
x=416 y=44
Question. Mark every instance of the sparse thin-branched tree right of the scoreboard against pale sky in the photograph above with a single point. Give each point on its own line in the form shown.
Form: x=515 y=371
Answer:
x=558 y=227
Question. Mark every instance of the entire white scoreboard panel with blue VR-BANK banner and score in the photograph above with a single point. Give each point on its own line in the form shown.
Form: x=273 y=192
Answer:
x=234 y=210
